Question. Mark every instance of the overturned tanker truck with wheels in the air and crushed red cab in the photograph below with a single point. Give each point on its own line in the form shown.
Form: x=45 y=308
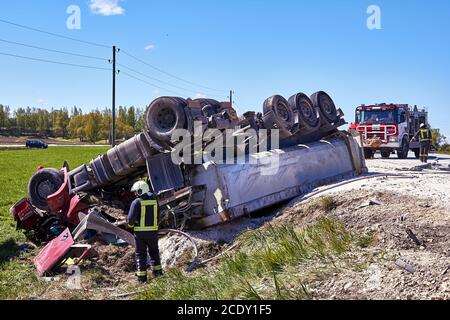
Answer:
x=257 y=160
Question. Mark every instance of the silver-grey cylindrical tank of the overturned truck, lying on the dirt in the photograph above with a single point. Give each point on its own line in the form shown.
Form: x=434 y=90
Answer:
x=235 y=190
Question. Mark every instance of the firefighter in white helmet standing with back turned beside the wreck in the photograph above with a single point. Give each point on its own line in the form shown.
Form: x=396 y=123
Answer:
x=143 y=220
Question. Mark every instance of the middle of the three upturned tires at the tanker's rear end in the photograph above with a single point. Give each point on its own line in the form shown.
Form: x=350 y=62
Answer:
x=307 y=114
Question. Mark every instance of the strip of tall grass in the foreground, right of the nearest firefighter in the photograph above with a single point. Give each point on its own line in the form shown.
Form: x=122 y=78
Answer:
x=272 y=263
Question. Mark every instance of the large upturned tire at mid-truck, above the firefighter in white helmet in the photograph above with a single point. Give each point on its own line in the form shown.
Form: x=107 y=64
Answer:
x=165 y=115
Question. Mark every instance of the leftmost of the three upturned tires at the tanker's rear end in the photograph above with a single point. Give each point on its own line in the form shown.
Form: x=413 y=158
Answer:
x=278 y=114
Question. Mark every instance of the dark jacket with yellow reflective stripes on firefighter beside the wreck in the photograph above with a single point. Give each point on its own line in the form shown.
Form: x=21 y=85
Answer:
x=143 y=215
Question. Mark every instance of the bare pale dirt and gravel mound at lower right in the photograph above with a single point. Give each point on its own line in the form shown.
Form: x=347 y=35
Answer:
x=395 y=227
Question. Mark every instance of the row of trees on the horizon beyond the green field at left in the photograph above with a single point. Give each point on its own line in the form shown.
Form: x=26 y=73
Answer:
x=87 y=127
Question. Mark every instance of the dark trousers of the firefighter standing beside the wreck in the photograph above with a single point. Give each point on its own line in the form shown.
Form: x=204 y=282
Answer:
x=147 y=245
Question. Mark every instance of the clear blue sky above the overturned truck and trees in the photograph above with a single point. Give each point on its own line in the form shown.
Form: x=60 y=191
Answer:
x=256 y=48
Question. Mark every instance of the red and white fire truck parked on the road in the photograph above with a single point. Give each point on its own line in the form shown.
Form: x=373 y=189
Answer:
x=389 y=128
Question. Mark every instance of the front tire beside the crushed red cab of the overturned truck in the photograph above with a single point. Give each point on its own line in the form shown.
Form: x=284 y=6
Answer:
x=42 y=184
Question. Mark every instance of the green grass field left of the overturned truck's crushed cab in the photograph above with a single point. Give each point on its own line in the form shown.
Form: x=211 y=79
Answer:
x=17 y=277
